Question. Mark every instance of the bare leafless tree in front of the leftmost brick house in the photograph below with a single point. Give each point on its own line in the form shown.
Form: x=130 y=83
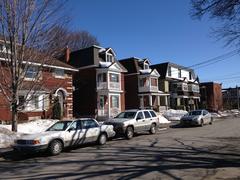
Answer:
x=23 y=28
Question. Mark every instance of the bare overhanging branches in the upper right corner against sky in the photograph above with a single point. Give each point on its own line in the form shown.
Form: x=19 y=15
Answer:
x=226 y=13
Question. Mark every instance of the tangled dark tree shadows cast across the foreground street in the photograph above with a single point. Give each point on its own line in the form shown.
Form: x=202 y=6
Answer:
x=126 y=162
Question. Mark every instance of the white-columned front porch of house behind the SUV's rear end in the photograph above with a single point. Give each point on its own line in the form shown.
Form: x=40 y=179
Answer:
x=156 y=101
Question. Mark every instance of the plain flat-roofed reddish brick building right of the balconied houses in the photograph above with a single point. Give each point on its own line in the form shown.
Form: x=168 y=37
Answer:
x=211 y=96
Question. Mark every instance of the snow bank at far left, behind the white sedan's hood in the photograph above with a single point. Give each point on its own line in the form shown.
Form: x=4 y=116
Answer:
x=7 y=137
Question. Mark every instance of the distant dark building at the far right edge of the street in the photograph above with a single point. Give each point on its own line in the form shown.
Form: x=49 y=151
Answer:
x=231 y=98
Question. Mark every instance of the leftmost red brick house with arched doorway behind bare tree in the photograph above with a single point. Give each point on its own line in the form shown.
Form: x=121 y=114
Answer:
x=53 y=80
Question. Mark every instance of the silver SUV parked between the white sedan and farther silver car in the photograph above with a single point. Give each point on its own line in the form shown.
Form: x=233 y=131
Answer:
x=132 y=121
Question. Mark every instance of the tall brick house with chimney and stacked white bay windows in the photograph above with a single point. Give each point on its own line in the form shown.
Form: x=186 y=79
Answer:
x=99 y=84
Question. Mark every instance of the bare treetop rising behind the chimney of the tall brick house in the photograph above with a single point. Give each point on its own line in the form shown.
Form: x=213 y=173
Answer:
x=75 y=40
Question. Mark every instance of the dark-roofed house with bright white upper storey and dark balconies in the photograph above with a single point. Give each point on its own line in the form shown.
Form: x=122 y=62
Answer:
x=182 y=84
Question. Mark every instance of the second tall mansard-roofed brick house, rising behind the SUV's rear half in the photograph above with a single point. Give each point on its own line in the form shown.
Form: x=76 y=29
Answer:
x=141 y=85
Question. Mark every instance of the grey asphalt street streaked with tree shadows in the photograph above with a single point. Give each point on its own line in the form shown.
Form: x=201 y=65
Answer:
x=209 y=152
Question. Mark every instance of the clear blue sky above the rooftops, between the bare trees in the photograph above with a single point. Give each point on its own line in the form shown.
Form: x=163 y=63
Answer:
x=161 y=30
